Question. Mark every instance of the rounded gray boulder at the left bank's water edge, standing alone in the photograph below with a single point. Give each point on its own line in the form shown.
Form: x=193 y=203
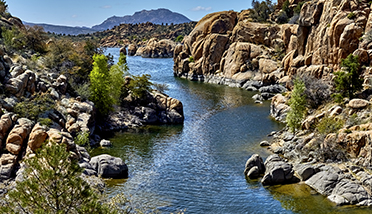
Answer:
x=109 y=167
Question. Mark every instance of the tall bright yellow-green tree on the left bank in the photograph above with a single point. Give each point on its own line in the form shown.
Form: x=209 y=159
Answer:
x=100 y=84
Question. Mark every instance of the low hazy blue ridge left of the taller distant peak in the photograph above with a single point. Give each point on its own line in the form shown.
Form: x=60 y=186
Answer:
x=63 y=29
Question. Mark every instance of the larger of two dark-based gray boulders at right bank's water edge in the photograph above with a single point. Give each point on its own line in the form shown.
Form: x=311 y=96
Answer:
x=278 y=171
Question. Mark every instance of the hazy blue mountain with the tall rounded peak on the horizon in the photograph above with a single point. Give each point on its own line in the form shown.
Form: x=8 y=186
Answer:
x=159 y=16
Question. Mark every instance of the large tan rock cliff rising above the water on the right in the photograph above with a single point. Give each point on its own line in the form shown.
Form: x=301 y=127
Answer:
x=229 y=45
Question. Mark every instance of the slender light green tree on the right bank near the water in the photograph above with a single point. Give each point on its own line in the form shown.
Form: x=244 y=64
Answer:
x=297 y=103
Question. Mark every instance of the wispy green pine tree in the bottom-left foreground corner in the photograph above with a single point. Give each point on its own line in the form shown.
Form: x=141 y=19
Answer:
x=52 y=185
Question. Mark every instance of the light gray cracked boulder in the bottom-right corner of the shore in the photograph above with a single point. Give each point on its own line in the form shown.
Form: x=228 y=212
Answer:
x=349 y=193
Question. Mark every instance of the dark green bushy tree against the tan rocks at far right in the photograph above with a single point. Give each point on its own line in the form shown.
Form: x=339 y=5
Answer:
x=348 y=80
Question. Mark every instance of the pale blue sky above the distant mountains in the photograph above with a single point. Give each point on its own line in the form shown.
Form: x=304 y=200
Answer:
x=92 y=12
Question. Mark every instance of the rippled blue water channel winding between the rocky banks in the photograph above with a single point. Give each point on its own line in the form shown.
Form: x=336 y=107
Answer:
x=199 y=166
